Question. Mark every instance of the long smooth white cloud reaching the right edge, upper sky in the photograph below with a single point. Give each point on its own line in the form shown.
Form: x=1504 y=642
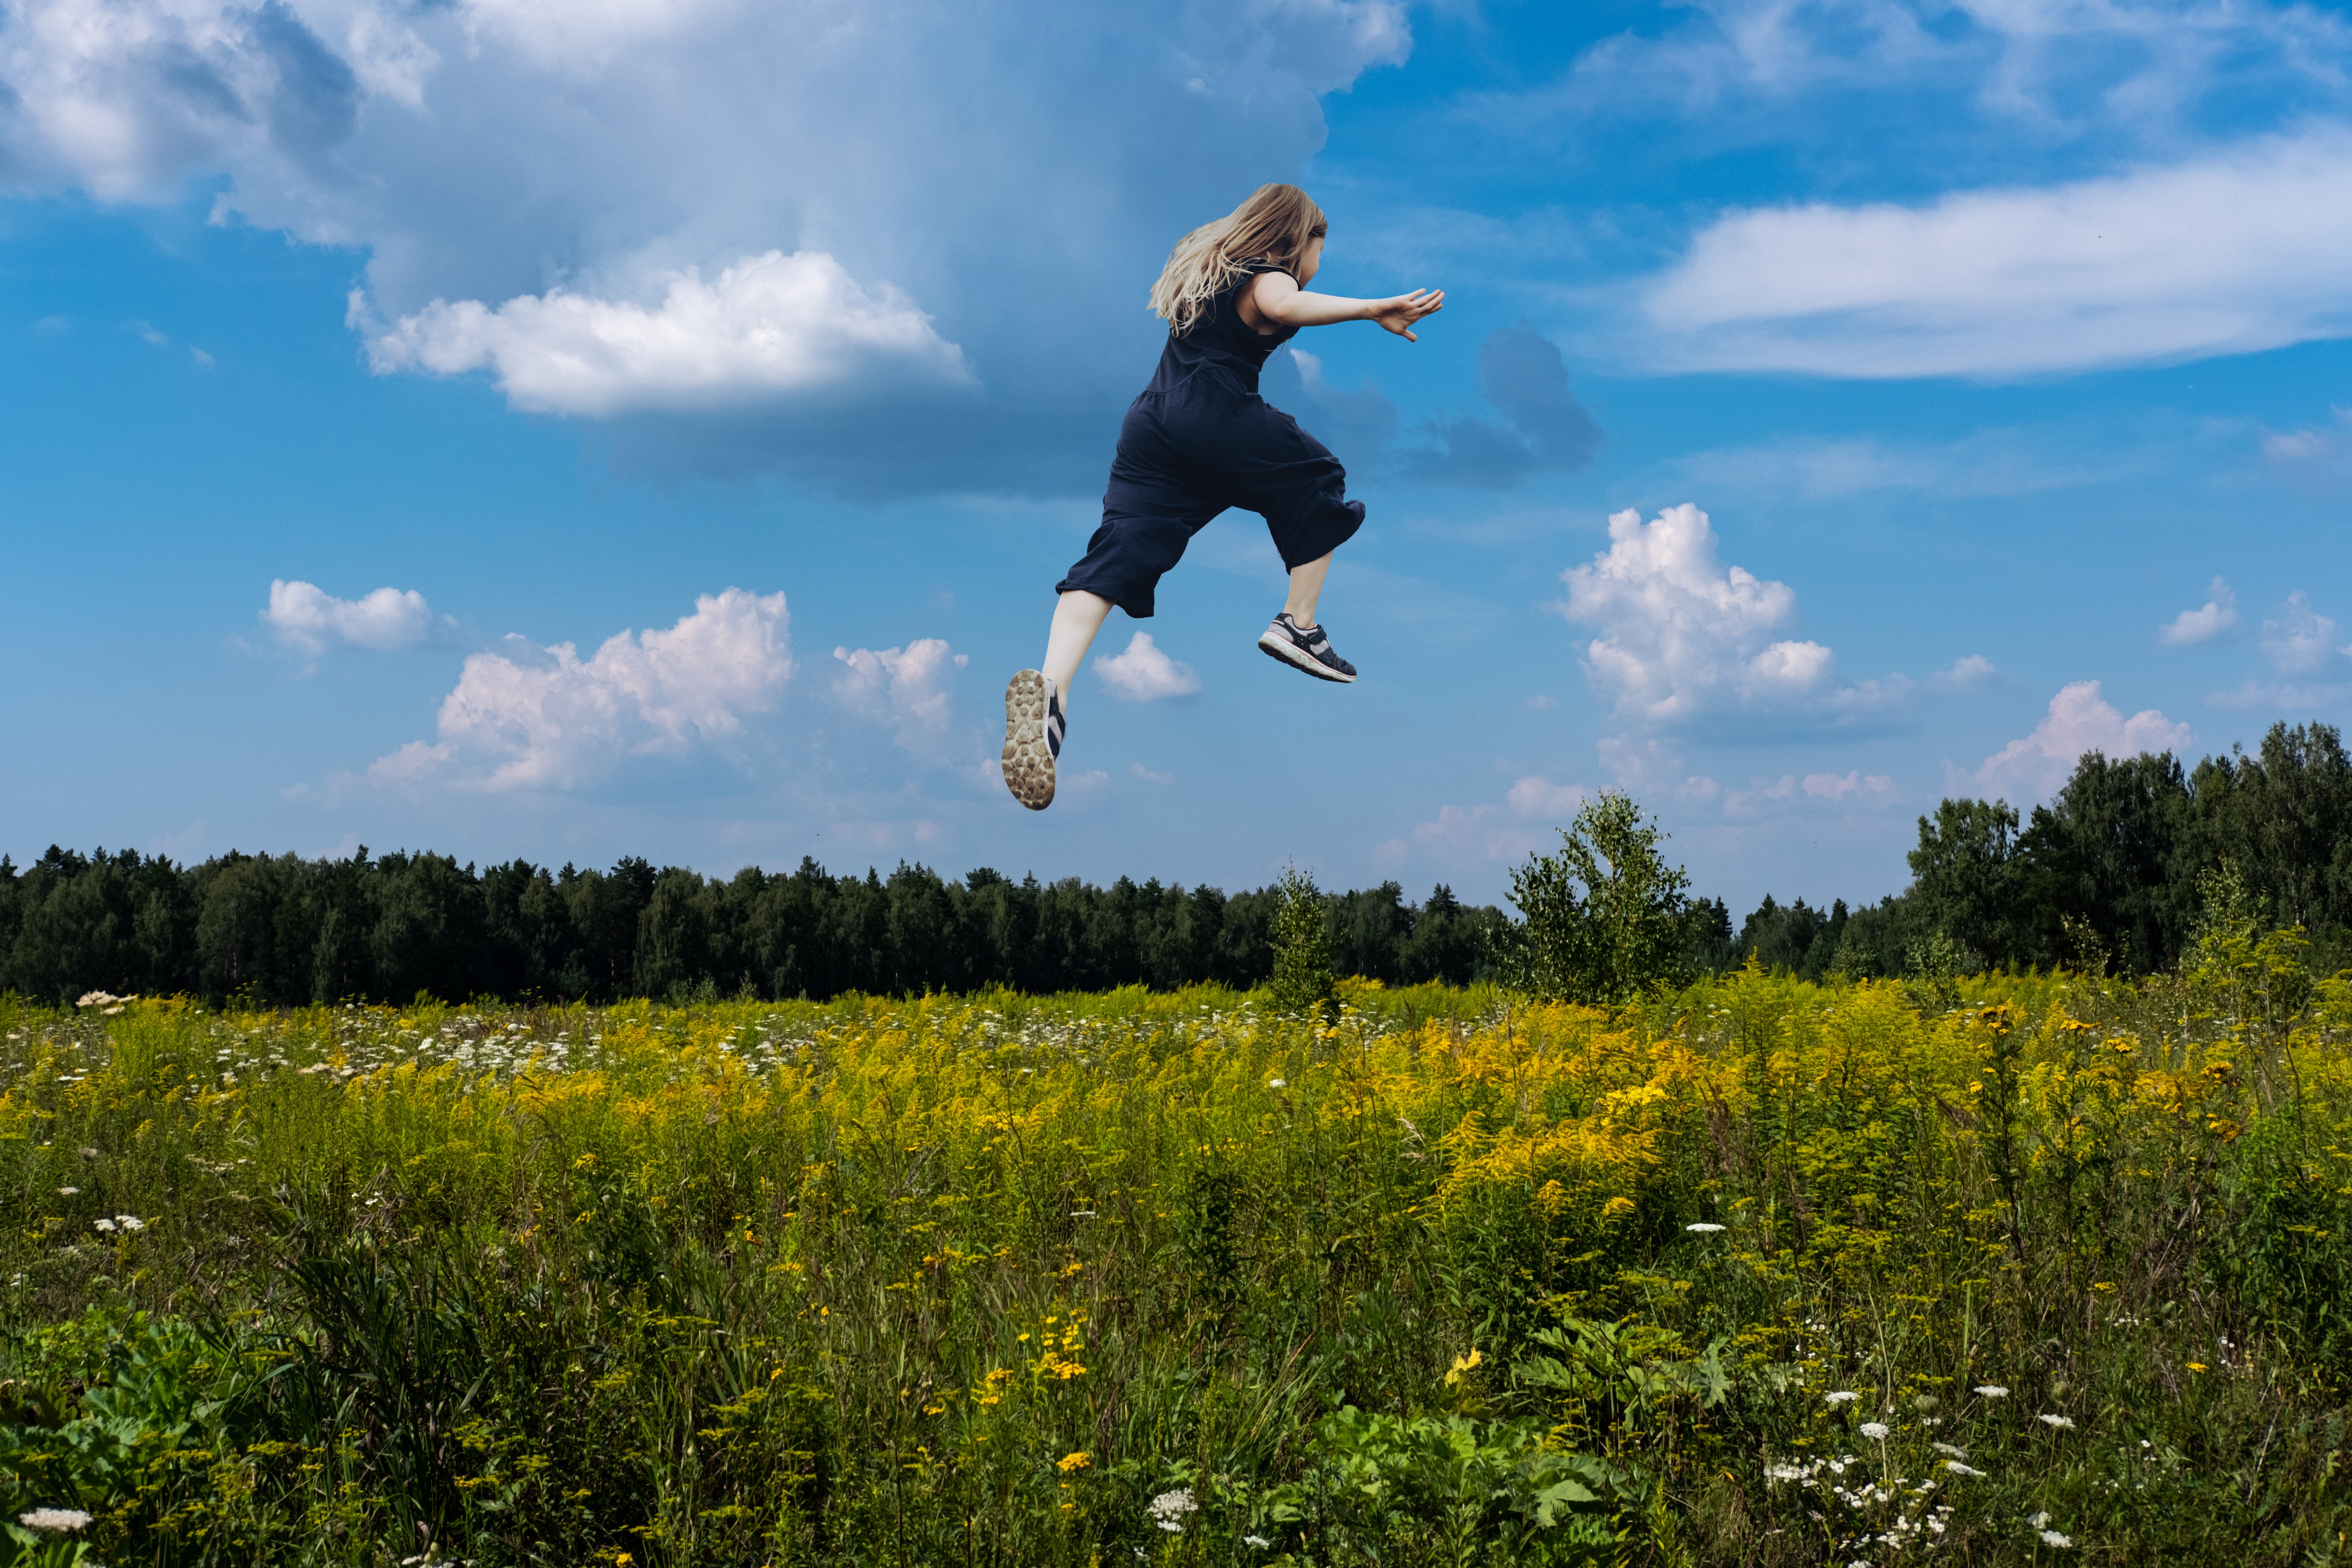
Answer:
x=2231 y=253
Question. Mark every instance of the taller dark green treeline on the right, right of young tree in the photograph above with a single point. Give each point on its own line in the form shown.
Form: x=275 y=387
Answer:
x=2113 y=871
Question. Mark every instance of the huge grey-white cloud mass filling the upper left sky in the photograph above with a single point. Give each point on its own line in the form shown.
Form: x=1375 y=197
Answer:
x=657 y=206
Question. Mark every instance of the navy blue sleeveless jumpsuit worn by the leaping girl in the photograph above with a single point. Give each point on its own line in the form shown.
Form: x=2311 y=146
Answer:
x=1201 y=441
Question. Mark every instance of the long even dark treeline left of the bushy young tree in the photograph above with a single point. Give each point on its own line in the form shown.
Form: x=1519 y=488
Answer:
x=283 y=930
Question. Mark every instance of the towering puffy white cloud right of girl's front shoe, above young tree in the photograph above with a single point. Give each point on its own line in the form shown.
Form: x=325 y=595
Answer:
x=1681 y=636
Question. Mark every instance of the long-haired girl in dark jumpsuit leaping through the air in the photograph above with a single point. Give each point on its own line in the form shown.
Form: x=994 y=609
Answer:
x=1201 y=441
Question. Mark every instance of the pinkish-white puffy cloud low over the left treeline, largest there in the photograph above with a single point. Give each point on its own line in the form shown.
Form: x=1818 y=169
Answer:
x=533 y=718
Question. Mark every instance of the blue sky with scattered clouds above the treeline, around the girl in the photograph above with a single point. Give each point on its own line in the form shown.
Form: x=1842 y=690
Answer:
x=573 y=429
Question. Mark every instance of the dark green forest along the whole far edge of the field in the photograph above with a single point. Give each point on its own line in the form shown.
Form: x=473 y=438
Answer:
x=2109 y=873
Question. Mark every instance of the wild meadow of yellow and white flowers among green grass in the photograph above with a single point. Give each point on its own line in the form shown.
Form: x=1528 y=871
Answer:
x=2003 y=1271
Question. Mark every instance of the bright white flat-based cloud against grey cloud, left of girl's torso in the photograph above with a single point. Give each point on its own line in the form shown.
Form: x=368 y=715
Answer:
x=766 y=328
